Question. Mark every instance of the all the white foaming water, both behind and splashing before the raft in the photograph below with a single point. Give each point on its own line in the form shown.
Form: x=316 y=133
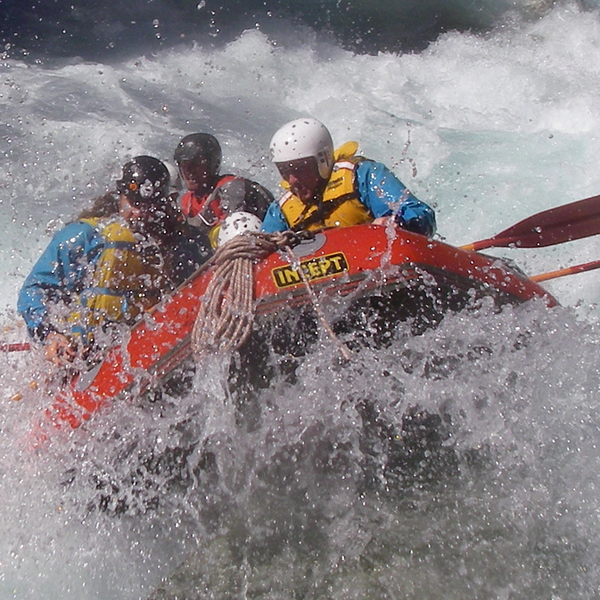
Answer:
x=488 y=129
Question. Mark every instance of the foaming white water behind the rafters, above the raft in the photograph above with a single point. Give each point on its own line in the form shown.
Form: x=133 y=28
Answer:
x=487 y=129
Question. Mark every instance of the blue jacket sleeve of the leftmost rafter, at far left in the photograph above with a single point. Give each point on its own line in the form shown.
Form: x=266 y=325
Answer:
x=59 y=272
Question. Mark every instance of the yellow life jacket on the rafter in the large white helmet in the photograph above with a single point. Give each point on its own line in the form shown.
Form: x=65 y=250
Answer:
x=339 y=206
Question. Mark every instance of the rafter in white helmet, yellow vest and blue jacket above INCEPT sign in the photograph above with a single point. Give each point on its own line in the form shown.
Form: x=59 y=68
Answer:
x=336 y=188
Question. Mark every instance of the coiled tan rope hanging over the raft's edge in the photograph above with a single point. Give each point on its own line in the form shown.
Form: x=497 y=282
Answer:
x=226 y=313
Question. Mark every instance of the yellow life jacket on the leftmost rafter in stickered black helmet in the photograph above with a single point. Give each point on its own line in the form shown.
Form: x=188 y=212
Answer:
x=127 y=277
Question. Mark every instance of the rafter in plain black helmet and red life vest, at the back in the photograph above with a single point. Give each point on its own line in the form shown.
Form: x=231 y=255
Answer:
x=212 y=197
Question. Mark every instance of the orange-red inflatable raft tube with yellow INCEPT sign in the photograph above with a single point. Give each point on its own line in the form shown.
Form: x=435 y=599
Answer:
x=357 y=261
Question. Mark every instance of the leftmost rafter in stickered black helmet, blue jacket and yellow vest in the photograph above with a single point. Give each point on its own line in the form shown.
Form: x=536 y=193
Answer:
x=103 y=268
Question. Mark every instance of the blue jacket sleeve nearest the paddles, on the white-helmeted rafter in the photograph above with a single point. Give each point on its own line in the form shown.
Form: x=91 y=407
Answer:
x=379 y=189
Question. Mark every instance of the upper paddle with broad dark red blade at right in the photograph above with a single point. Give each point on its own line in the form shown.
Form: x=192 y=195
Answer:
x=561 y=224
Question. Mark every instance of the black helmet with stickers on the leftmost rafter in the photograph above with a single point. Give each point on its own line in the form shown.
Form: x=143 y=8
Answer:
x=144 y=179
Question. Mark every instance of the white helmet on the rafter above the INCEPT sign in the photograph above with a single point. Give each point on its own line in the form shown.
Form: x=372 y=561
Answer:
x=303 y=138
